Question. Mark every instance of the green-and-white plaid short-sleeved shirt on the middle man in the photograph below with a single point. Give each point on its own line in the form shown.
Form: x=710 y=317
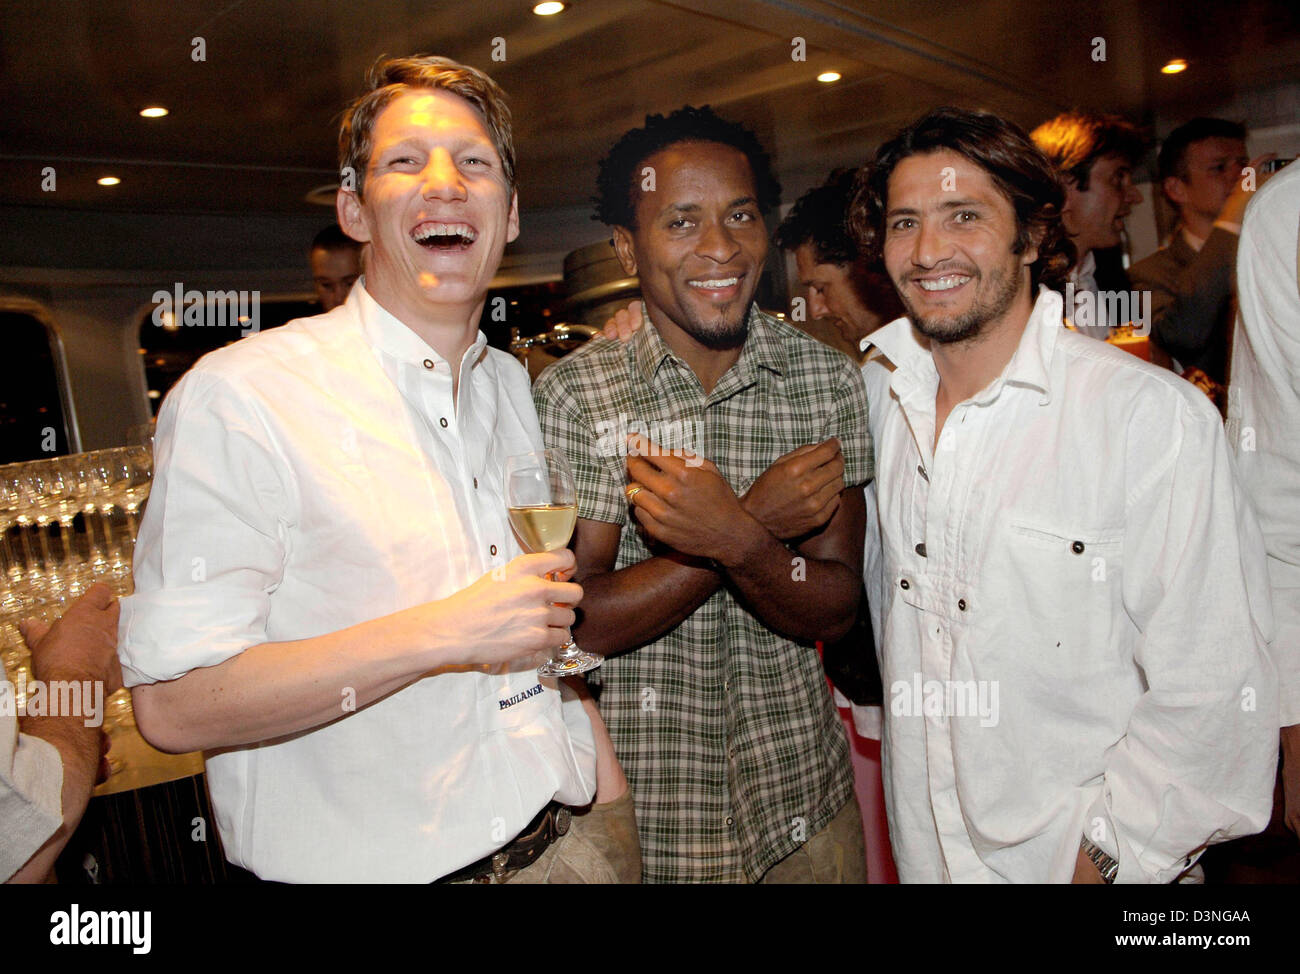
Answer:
x=727 y=731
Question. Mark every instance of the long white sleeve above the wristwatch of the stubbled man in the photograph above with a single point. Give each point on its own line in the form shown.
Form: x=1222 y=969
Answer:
x=1199 y=759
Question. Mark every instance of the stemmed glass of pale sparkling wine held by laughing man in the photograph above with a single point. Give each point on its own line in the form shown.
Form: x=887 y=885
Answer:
x=543 y=512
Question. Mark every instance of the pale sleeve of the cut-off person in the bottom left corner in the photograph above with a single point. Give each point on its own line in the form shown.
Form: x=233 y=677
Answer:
x=32 y=783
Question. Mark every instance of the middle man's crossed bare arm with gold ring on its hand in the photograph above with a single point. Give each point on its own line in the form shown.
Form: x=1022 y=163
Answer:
x=694 y=510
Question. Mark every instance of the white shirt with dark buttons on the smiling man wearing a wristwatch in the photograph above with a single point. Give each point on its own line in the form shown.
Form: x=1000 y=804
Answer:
x=1072 y=648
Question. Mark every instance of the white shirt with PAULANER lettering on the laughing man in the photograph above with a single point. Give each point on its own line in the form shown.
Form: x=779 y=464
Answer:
x=314 y=478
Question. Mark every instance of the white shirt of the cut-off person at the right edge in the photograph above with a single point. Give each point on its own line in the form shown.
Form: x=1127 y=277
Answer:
x=1264 y=404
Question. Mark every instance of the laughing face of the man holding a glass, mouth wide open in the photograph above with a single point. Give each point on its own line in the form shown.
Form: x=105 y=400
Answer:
x=437 y=211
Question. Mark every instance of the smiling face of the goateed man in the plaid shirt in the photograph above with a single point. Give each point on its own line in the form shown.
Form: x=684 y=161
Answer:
x=700 y=243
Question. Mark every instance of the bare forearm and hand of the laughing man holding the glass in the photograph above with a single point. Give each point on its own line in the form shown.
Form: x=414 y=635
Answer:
x=281 y=689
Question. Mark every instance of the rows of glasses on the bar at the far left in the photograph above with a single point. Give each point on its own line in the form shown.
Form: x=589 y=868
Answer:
x=68 y=522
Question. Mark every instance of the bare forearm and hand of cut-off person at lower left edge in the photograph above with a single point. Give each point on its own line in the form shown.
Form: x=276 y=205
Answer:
x=81 y=646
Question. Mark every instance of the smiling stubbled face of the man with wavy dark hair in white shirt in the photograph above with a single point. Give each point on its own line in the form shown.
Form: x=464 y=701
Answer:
x=950 y=250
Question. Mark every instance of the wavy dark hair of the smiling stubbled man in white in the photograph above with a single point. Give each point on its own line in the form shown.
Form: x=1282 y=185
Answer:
x=1006 y=153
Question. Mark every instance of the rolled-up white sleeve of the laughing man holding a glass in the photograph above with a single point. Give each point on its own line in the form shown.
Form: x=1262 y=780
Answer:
x=214 y=540
